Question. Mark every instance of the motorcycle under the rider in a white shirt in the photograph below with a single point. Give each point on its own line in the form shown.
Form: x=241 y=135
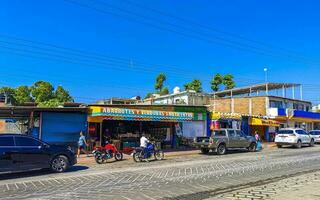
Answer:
x=150 y=151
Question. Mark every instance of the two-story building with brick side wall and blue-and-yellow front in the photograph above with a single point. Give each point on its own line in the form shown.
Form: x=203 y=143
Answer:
x=266 y=107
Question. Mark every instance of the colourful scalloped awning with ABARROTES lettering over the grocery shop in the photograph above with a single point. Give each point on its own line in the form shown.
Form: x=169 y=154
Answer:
x=98 y=114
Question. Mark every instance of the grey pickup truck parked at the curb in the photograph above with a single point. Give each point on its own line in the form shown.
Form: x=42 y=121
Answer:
x=223 y=139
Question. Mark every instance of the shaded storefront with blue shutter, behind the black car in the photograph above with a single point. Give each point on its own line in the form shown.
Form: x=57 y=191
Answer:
x=52 y=125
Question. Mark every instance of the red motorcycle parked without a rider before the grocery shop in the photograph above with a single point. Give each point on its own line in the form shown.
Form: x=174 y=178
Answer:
x=102 y=154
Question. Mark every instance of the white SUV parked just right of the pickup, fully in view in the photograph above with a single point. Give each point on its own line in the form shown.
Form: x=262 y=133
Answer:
x=294 y=137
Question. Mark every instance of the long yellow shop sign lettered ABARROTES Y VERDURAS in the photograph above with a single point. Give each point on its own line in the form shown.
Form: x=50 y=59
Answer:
x=136 y=114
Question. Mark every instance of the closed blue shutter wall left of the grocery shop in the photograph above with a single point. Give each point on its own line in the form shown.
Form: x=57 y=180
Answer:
x=62 y=127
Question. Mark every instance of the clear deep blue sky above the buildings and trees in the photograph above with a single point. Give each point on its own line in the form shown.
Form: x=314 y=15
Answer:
x=125 y=44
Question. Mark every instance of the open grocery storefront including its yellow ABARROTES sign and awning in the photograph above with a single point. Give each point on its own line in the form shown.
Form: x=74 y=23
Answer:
x=124 y=126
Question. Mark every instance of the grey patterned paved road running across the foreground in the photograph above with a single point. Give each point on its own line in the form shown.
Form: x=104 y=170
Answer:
x=189 y=177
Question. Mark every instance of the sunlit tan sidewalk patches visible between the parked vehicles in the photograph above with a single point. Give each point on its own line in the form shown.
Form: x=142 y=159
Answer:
x=171 y=153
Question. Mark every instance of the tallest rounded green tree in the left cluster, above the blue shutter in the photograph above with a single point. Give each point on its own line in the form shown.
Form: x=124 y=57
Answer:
x=42 y=91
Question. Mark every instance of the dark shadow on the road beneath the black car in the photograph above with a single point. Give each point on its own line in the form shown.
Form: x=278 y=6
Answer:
x=39 y=172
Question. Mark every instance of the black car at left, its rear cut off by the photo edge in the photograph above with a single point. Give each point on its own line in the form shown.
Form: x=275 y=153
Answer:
x=20 y=153
